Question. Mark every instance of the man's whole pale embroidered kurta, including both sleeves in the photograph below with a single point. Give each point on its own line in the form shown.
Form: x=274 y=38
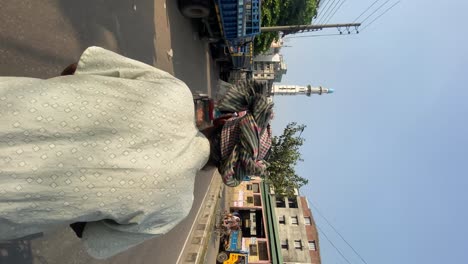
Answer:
x=115 y=141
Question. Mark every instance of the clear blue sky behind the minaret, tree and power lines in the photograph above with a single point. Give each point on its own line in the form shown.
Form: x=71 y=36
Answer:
x=386 y=155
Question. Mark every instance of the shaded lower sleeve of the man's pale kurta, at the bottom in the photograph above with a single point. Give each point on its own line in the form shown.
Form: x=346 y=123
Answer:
x=101 y=241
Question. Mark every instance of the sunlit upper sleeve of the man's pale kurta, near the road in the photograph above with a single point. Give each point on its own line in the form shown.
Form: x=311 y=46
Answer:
x=99 y=61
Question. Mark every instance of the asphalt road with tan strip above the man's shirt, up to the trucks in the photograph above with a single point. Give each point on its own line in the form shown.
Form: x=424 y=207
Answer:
x=40 y=38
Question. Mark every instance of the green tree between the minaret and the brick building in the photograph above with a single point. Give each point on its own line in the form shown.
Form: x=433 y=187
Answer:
x=283 y=158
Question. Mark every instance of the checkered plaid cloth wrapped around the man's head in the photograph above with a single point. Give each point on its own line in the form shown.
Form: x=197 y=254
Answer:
x=245 y=139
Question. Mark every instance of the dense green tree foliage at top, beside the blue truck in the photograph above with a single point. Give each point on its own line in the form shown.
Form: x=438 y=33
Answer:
x=283 y=13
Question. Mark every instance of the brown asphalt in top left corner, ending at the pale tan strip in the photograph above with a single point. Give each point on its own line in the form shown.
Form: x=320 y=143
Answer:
x=40 y=38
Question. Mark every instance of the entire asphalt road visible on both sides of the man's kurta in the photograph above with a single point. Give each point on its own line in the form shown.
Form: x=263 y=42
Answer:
x=40 y=38
